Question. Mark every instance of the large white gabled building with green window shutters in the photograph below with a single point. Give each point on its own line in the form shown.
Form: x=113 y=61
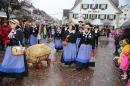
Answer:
x=96 y=12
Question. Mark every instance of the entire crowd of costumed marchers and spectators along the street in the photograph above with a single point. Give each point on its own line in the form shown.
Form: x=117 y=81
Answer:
x=78 y=43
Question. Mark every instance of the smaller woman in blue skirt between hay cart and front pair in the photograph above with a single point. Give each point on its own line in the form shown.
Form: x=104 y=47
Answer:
x=58 y=43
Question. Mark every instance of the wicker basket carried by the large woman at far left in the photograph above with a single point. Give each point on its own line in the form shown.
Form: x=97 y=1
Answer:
x=17 y=50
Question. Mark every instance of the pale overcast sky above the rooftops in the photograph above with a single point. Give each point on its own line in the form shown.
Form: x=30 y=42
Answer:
x=57 y=6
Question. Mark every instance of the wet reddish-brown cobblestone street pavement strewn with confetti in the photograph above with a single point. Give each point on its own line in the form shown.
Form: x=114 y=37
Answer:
x=104 y=74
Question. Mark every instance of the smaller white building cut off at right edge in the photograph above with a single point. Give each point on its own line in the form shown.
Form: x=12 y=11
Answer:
x=125 y=16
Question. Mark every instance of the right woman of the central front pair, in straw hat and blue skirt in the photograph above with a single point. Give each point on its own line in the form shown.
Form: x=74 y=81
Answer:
x=85 y=49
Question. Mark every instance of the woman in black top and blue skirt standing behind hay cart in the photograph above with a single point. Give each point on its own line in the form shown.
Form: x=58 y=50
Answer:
x=33 y=33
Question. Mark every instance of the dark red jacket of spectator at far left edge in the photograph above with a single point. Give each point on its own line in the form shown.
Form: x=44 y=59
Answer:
x=5 y=32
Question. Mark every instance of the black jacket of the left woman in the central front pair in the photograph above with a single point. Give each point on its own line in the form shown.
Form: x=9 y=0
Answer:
x=72 y=38
